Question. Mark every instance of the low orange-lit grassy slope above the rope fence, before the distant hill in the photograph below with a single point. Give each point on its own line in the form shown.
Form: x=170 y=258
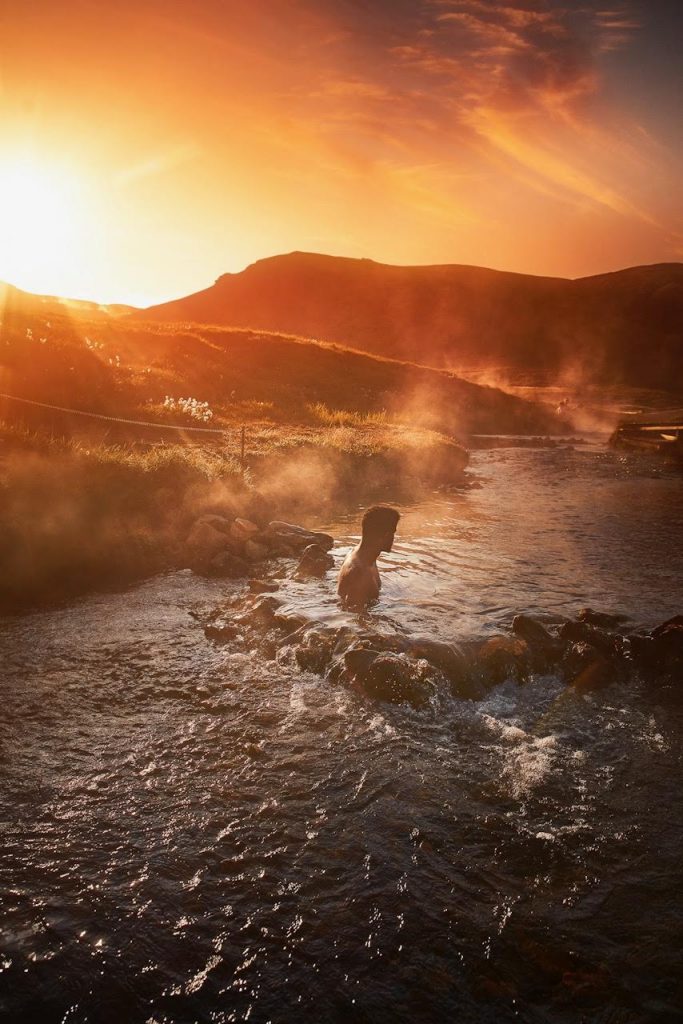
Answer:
x=127 y=369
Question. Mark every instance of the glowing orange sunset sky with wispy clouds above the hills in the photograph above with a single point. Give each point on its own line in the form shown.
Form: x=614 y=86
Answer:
x=148 y=147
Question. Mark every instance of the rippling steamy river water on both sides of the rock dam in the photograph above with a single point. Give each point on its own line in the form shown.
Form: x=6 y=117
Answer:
x=191 y=835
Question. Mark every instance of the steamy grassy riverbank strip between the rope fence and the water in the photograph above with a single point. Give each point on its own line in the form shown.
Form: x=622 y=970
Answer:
x=78 y=518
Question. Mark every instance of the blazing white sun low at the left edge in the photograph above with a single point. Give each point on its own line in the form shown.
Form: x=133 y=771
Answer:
x=42 y=224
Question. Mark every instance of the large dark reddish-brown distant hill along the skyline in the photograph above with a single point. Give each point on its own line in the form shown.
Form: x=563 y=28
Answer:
x=625 y=327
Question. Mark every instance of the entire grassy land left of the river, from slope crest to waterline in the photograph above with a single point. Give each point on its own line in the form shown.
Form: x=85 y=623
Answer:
x=88 y=502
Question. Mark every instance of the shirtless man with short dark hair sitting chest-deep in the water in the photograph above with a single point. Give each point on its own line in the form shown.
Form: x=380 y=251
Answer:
x=359 y=582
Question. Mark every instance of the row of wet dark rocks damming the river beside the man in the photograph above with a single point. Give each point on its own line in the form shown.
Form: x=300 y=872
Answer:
x=587 y=654
